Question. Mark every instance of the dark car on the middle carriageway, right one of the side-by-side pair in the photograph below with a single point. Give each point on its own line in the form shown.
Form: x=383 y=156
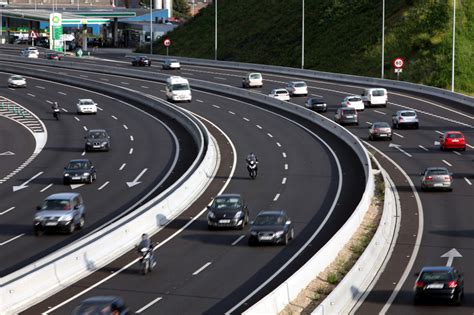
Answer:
x=271 y=227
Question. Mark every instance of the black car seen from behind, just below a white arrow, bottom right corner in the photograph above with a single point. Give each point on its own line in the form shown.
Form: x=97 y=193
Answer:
x=439 y=283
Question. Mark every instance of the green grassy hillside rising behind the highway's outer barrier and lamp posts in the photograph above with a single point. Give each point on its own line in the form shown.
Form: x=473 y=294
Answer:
x=340 y=36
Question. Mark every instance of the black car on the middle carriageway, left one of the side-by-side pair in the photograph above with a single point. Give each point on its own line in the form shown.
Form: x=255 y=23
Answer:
x=227 y=210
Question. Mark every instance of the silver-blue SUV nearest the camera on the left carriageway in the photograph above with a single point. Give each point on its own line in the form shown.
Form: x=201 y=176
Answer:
x=60 y=212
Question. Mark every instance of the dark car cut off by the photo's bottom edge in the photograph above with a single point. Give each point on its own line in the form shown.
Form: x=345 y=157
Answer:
x=109 y=305
